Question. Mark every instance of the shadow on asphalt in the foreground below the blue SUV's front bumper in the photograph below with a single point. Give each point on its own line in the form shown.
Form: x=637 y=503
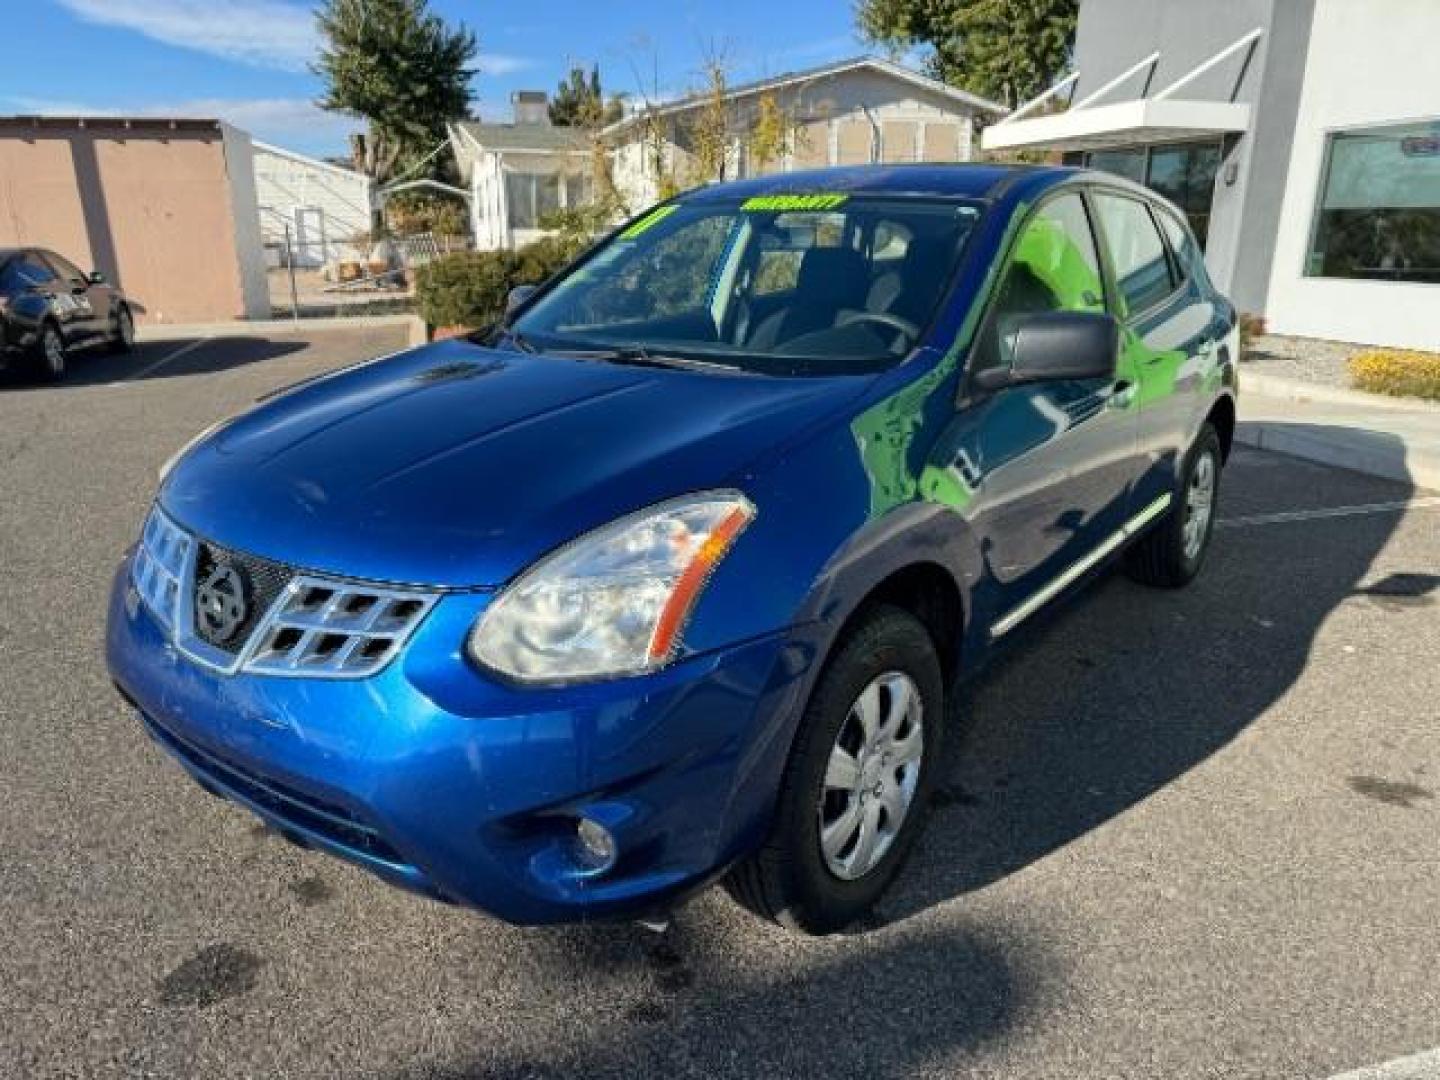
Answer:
x=685 y=1003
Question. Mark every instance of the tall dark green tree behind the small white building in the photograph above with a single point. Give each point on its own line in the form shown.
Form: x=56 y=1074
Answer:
x=398 y=67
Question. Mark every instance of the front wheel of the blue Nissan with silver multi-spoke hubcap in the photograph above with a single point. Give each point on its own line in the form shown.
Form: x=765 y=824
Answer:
x=858 y=783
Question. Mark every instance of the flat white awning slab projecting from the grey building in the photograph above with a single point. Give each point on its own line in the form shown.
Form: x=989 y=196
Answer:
x=1125 y=123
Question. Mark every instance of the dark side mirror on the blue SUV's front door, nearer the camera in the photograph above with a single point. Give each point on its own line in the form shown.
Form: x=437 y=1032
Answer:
x=1055 y=346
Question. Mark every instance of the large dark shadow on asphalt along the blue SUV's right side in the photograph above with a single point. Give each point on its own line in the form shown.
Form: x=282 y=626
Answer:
x=1128 y=689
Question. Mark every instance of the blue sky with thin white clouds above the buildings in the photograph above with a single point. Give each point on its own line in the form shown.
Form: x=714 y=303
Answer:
x=246 y=61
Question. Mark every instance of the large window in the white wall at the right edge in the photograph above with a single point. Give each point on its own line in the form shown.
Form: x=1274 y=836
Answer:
x=1380 y=207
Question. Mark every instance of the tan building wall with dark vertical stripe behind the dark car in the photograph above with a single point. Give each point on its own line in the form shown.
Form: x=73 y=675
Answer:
x=152 y=205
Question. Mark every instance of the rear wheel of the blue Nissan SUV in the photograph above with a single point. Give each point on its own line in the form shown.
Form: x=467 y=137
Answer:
x=1173 y=554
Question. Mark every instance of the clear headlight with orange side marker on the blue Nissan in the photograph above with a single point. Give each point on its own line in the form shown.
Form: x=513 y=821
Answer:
x=616 y=601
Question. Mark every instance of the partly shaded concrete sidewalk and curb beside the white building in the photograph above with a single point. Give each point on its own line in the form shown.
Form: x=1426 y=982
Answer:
x=1385 y=437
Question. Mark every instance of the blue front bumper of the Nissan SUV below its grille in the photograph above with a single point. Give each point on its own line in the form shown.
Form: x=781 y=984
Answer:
x=447 y=783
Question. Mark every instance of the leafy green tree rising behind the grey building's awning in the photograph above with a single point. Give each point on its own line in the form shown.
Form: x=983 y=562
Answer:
x=1003 y=50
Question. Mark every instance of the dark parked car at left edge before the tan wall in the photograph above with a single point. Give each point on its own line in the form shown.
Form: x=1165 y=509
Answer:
x=48 y=307
